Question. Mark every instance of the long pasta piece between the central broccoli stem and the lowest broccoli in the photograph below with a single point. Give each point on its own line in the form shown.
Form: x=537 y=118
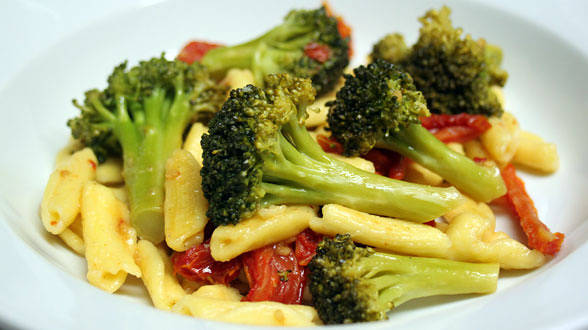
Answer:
x=385 y=233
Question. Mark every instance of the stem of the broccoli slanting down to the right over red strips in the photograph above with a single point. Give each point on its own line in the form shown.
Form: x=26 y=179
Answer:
x=415 y=142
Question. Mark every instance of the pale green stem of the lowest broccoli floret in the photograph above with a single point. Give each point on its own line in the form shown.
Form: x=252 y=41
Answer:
x=400 y=278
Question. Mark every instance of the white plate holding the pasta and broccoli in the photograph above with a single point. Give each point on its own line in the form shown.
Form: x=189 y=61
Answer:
x=42 y=284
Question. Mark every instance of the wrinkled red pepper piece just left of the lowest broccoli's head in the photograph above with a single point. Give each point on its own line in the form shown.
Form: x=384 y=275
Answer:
x=274 y=274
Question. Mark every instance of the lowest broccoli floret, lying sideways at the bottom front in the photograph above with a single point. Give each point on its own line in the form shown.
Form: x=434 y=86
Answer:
x=352 y=284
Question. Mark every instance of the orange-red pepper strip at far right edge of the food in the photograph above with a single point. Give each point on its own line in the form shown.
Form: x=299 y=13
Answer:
x=539 y=236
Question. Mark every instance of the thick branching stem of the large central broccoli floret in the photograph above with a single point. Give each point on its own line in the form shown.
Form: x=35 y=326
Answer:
x=304 y=174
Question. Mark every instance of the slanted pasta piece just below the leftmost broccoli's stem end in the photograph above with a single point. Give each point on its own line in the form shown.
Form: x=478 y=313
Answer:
x=157 y=275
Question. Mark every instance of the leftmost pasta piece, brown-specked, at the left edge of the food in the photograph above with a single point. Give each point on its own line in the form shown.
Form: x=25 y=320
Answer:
x=61 y=200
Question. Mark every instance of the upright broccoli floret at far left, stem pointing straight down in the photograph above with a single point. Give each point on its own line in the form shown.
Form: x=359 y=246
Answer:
x=141 y=116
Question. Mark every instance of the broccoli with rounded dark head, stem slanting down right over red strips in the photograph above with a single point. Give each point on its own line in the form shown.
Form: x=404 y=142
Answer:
x=379 y=106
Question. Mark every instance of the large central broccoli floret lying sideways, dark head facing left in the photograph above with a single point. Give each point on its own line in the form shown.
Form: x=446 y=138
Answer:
x=258 y=153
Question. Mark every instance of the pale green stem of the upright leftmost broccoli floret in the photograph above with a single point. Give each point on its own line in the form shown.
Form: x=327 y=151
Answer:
x=147 y=144
